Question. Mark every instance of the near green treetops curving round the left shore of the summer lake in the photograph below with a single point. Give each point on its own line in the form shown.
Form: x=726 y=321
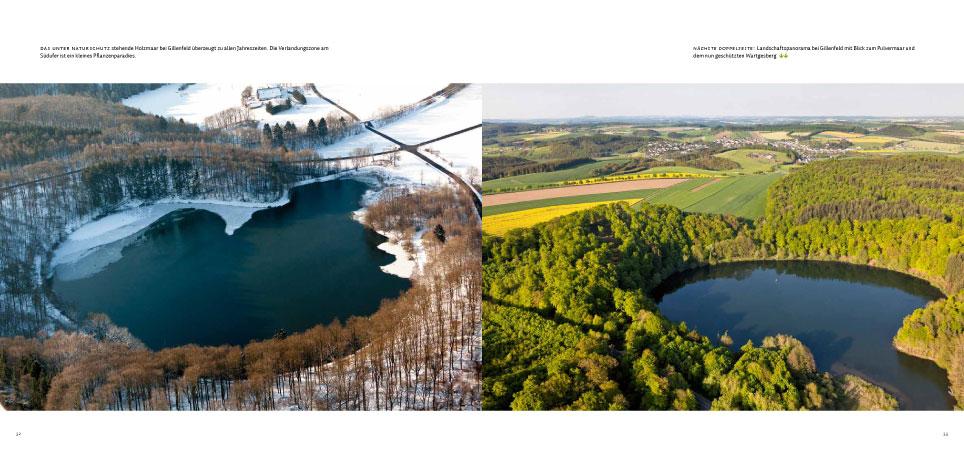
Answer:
x=580 y=286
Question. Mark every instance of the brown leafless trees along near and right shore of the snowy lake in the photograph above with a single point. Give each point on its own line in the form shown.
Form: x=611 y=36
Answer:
x=419 y=351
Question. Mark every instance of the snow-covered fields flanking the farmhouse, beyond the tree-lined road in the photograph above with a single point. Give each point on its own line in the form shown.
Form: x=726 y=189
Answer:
x=201 y=100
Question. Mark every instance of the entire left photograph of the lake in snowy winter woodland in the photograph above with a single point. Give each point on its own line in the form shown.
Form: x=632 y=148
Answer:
x=294 y=246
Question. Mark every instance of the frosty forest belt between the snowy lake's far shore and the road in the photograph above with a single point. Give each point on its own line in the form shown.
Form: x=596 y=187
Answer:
x=37 y=215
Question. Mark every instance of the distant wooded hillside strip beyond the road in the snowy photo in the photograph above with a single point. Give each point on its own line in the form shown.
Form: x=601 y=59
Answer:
x=42 y=127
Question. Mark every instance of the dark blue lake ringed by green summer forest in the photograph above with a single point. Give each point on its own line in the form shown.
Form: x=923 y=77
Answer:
x=836 y=308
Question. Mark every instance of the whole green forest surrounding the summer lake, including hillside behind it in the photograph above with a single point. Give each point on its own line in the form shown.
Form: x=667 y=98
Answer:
x=569 y=323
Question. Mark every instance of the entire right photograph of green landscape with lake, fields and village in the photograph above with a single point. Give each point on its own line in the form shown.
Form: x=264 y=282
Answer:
x=723 y=247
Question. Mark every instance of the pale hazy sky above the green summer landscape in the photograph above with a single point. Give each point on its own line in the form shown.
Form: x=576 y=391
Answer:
x=561 y=101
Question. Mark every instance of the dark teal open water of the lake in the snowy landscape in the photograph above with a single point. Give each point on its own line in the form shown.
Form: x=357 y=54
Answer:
x=183 y=280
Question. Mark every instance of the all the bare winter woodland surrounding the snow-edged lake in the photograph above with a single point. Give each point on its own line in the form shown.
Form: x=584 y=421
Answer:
x=69 y=159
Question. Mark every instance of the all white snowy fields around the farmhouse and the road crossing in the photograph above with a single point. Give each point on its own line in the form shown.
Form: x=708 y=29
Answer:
x=462 y=110
